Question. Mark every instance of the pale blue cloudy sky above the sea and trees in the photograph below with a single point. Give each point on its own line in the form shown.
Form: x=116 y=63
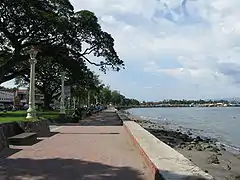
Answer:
x=172 y=49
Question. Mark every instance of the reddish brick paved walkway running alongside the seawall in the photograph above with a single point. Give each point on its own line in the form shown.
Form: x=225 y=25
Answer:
x=90 y=151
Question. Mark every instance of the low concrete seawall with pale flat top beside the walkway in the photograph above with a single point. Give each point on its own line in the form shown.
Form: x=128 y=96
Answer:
x=164 y=162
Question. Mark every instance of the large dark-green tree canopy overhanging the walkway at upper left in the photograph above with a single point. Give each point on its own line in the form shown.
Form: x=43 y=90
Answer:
x=66 y=36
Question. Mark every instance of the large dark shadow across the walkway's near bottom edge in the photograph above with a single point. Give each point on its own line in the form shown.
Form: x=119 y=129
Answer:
x=63 y=169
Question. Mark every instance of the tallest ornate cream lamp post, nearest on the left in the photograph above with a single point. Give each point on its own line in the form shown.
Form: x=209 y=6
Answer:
x=31 y=112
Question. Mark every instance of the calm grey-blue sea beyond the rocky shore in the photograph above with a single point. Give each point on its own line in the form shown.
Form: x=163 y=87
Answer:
x=222 y=123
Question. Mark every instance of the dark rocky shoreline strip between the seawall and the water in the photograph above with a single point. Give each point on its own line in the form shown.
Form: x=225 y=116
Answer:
x=210 y=156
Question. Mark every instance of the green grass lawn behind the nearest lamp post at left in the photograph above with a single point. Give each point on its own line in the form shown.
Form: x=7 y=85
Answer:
x=21 y=115
